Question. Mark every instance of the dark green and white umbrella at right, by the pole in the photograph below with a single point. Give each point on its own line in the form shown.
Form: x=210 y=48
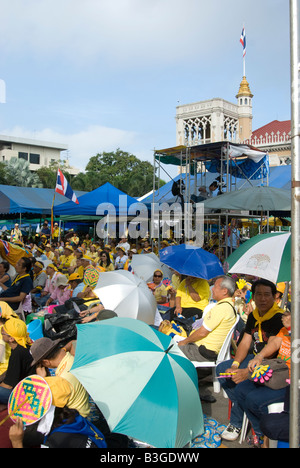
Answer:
x=267 y=256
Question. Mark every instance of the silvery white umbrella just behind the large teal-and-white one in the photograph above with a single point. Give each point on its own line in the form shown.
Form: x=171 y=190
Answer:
x=127 y=295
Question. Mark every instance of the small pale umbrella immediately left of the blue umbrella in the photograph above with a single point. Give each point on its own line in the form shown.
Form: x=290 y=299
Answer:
x=144 y=266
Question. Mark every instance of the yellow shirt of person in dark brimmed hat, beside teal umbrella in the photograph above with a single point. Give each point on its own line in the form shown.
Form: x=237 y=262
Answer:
x=79 y=398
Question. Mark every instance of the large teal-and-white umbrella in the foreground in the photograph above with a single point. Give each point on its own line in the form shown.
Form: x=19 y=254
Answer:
x=140 y=380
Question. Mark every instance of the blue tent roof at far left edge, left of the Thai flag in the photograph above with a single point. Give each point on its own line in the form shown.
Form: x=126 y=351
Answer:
x=28 y=200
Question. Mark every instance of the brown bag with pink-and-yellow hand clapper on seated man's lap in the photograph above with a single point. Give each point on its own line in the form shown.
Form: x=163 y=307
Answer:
x=272 y=373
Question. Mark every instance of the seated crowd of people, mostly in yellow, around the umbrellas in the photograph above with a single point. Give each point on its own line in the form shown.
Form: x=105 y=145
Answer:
x=199 y=313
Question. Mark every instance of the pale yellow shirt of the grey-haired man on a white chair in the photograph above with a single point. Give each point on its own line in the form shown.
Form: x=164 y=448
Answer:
x=218 y=321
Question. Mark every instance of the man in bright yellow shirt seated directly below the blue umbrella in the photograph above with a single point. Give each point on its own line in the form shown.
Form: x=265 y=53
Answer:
x=192 y=297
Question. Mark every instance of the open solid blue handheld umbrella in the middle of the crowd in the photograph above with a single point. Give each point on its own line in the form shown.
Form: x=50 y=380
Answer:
x=192 y=261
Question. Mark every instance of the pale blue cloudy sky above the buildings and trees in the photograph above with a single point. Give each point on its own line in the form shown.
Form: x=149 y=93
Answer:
x=99 y=75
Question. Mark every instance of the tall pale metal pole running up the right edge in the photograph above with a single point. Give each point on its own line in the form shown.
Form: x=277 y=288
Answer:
x=295 y=209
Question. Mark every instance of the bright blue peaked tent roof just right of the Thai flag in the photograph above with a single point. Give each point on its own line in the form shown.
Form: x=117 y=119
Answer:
x=106 y=196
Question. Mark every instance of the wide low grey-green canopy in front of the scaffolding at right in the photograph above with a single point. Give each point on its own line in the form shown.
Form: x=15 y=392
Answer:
x=252 y=199
